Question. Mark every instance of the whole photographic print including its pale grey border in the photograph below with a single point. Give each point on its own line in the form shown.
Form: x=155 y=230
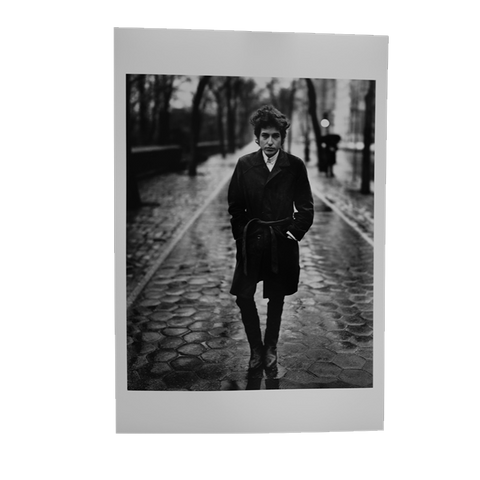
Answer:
x=249 y=222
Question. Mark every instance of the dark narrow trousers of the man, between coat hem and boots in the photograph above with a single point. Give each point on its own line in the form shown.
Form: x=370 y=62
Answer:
x=251 y=320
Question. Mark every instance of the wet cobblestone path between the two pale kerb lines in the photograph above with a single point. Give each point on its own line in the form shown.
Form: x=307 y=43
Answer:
x=185 y=332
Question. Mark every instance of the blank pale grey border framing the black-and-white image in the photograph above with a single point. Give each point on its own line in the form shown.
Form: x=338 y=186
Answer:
x=256 y=54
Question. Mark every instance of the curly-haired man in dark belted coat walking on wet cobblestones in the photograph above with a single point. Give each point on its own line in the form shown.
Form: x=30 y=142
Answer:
x=265 y=187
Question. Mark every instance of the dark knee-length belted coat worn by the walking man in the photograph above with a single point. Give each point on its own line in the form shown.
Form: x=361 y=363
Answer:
x=257 y=193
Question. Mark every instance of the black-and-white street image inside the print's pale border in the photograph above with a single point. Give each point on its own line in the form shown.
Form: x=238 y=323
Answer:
x=261 y=191
